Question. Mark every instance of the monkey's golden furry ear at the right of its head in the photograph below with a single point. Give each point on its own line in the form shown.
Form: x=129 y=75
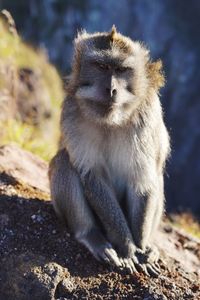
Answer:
x=156 y=74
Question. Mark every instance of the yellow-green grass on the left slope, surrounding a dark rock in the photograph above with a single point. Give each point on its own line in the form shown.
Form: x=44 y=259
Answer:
x=17 y=54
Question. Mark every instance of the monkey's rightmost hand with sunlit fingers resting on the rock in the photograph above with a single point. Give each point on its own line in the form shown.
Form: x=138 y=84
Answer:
x=148 y=261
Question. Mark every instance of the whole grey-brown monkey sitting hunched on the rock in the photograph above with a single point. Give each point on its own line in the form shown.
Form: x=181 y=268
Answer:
x=106 y=179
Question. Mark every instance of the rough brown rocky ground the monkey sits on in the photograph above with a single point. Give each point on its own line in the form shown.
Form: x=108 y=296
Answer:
x=39 y=259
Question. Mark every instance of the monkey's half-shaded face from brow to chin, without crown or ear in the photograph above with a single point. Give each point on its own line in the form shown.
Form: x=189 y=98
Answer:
x=108 y=88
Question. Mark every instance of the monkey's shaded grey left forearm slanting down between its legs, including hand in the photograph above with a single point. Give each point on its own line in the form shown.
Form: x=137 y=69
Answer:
x=104 y=203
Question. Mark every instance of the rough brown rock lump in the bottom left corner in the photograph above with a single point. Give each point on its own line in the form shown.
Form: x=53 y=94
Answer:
x=27 y=277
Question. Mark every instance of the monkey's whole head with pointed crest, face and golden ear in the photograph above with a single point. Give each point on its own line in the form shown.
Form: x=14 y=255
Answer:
x=111 y=76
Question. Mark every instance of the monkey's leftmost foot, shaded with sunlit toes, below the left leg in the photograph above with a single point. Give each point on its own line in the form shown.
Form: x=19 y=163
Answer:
x=100 y=248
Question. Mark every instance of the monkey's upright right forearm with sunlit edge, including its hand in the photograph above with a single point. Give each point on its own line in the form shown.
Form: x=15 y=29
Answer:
x=141 y=211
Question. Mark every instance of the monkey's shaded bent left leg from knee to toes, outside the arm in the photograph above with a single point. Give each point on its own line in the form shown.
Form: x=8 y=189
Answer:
x=71 y=205
